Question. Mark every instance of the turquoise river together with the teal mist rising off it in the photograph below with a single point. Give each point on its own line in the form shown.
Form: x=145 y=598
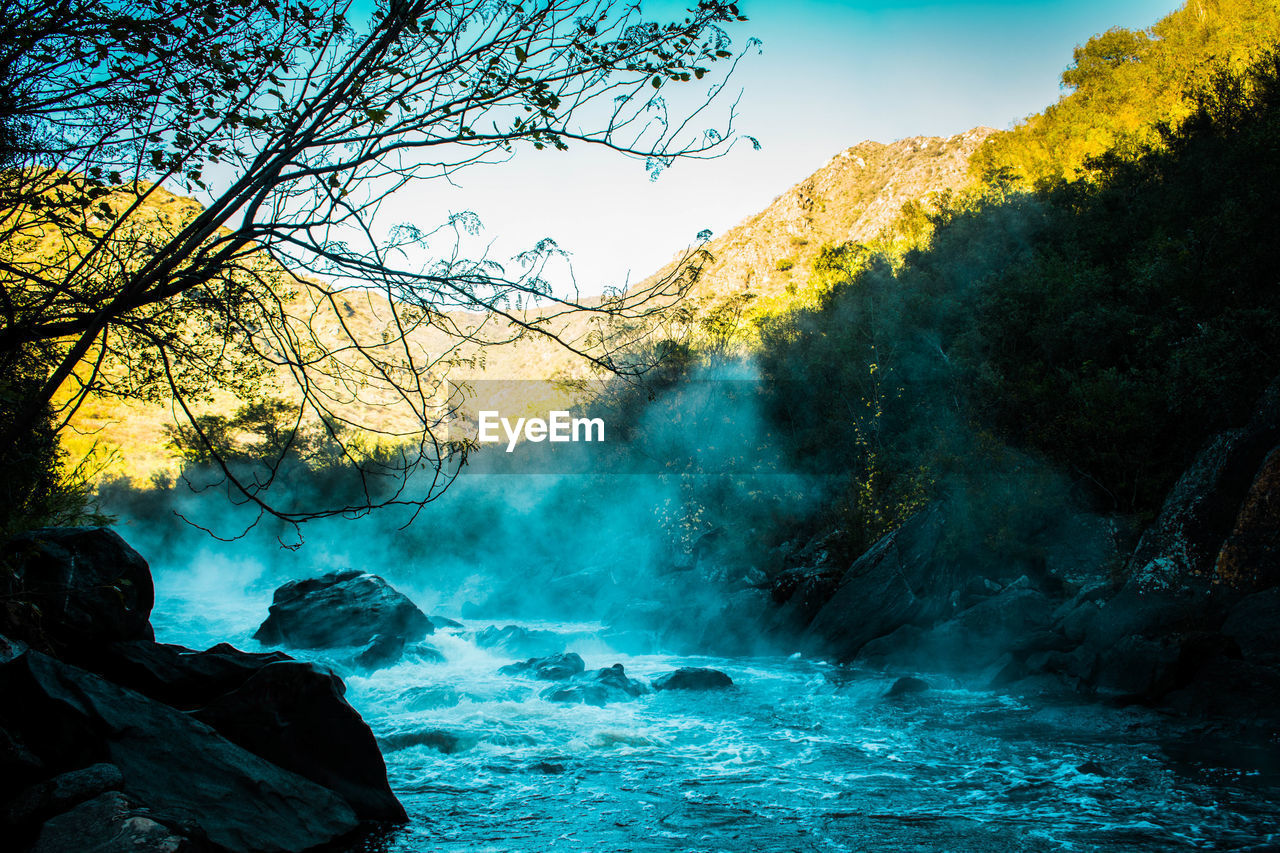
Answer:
x=801 y=755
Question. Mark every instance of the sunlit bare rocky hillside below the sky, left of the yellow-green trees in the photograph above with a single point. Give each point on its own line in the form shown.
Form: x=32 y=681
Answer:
x=854 y=197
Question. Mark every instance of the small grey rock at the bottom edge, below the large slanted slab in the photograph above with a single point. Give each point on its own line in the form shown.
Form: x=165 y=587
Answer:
x=111 y=823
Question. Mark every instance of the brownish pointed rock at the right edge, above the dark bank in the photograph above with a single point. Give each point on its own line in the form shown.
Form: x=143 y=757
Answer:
x=1251 y=556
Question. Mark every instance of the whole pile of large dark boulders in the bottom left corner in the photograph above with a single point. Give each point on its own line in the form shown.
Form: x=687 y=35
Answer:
x=113 y=742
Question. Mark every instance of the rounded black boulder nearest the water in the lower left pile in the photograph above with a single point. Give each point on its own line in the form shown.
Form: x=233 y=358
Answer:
x=295 y=717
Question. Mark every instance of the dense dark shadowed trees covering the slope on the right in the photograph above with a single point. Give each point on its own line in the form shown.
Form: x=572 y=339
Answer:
x=1108 y=326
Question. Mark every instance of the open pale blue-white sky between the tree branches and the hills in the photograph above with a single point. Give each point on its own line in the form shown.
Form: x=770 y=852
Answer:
x=828 y=76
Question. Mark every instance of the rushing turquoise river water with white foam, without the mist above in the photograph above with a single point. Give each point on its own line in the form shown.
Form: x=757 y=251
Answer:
x=798 y=756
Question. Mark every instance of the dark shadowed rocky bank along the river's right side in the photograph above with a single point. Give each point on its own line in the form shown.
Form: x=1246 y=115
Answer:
x=1188 y=618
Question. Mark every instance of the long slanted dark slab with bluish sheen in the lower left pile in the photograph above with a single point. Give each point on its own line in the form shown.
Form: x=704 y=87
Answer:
x=177 y=767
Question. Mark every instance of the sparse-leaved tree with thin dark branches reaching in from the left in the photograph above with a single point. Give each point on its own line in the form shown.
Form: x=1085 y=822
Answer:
x=292 y=126
